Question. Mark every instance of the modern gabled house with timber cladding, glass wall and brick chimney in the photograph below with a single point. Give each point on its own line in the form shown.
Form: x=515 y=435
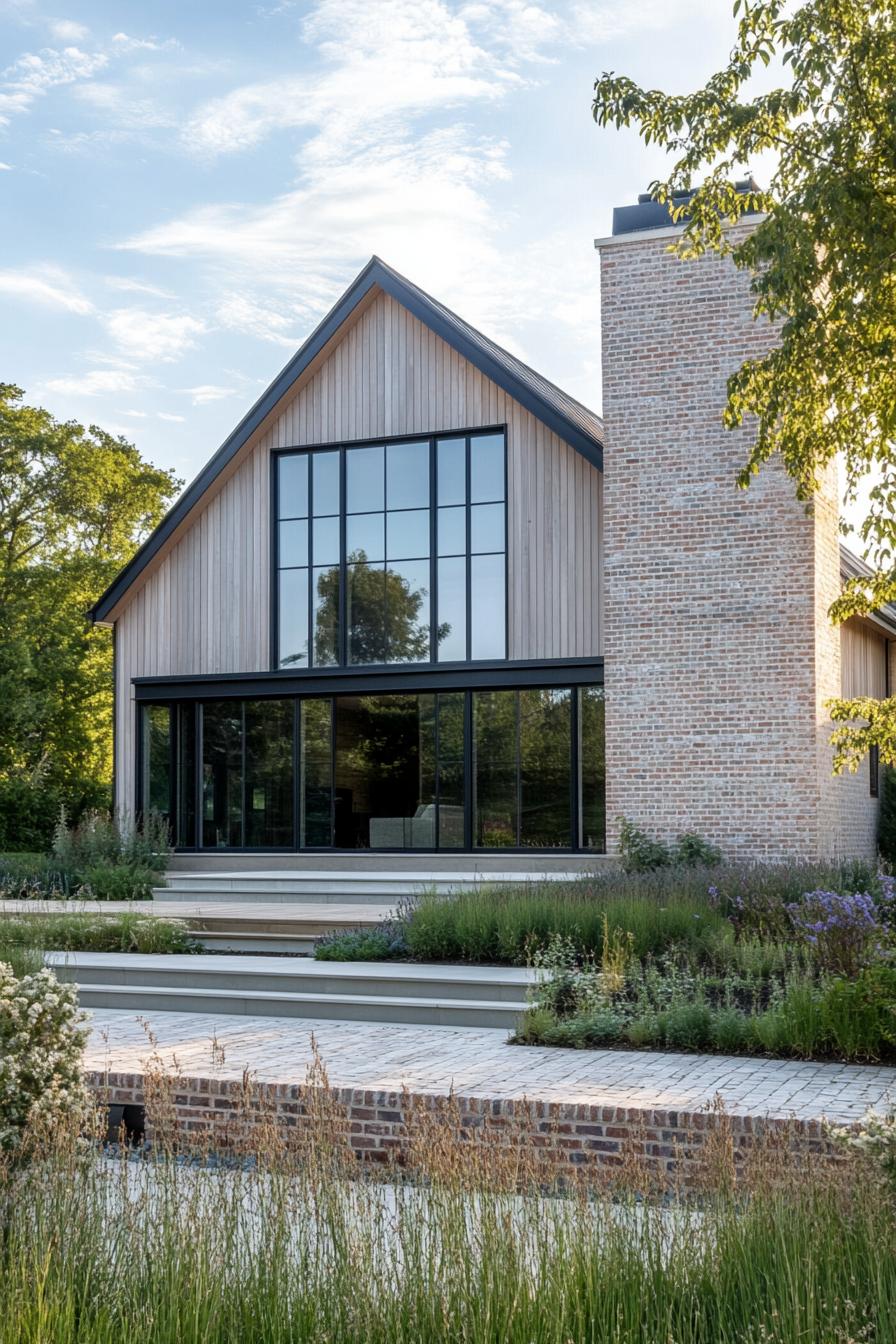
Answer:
x=388 y=614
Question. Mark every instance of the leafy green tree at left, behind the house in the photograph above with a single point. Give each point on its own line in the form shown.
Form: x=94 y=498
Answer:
x=75 y=505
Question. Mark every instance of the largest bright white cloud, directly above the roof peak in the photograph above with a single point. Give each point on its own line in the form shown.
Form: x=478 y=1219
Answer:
x=386 y=165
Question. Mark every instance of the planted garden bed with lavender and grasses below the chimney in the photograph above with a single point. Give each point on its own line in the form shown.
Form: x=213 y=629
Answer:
x=789 y=962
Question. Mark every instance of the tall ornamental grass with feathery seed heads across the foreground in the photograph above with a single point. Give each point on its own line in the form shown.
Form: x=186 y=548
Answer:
x=281 y=1237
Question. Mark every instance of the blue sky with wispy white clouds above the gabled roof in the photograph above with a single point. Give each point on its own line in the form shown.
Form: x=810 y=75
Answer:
x=187 y=187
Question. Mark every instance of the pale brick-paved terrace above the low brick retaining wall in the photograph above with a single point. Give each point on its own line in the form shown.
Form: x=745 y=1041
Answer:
x=480 y=1064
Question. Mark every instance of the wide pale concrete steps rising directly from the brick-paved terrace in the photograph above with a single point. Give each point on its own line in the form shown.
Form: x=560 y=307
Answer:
x=402 y=993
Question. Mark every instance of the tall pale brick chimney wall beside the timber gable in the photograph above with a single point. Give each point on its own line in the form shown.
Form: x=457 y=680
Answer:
x=719 y=657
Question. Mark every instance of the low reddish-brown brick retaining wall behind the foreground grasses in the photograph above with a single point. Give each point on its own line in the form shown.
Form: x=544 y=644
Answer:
x=654 y=1144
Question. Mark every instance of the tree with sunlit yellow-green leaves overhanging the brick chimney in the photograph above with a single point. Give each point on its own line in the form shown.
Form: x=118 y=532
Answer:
x=823 y=260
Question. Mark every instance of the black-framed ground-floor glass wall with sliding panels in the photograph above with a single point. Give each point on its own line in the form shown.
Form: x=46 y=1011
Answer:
x=483 y=769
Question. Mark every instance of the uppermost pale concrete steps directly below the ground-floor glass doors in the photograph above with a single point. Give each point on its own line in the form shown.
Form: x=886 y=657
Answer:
x=378 y=888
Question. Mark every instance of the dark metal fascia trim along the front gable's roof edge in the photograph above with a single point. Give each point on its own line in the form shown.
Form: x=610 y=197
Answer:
x=428 y=311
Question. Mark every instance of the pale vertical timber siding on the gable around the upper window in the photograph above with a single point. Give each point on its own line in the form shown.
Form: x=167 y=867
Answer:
x=205 y=605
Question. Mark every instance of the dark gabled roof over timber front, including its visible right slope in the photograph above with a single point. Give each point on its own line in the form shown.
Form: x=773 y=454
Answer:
x=572 y=421
